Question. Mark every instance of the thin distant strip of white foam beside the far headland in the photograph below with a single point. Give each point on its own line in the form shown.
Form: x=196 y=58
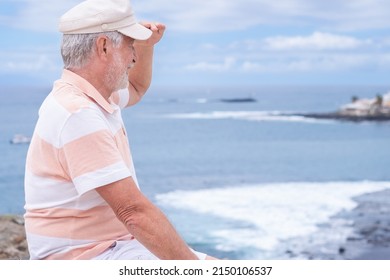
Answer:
x=248 y=115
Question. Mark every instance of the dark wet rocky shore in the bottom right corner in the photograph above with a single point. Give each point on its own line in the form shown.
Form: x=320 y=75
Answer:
x=370 y=236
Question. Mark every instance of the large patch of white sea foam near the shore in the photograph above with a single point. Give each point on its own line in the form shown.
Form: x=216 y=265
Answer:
x=276 y=212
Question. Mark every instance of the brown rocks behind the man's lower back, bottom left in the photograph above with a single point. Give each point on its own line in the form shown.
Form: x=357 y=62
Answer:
x=13 y=245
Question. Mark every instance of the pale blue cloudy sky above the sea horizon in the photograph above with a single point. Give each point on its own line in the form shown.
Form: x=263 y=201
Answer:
x=222 y=42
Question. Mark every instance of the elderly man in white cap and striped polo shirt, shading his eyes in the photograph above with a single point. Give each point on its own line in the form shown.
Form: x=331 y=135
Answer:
x=82 y=196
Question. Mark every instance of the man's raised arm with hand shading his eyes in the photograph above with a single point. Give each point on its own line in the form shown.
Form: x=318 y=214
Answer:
x=140 y=76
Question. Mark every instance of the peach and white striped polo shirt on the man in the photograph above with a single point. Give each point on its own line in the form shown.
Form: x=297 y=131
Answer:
x=78 y=145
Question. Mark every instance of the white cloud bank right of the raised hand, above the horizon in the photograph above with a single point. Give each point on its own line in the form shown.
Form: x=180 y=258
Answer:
x=317 y=52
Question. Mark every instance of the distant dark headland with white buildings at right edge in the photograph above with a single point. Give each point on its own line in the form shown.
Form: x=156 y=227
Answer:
x=376 y=109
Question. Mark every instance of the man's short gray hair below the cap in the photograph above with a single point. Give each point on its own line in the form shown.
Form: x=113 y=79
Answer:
x=76 y=49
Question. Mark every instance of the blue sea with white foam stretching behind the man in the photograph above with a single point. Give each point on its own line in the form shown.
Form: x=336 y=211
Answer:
x=239 y=180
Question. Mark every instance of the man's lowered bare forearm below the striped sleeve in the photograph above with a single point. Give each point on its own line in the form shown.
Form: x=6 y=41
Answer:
x=145 y=221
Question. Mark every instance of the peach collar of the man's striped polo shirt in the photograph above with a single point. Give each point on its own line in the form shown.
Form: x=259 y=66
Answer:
x=88 y=89
